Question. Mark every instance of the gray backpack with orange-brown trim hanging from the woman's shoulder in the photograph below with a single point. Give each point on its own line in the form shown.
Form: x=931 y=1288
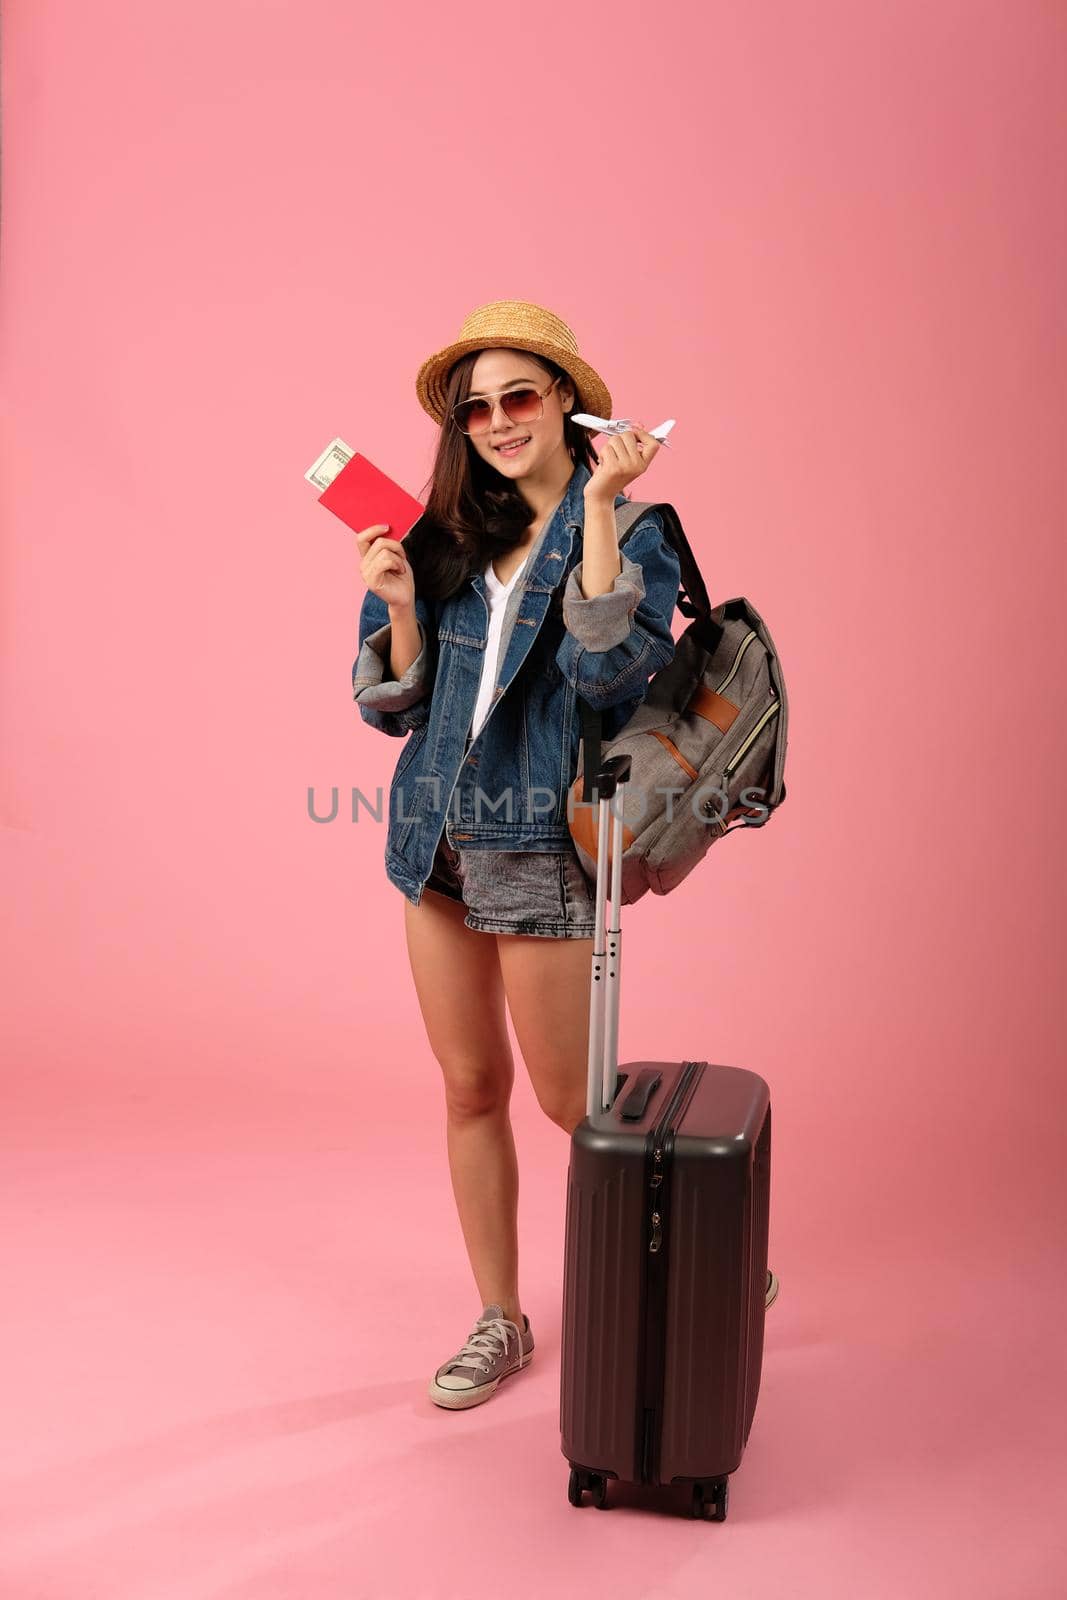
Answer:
x=708 y=743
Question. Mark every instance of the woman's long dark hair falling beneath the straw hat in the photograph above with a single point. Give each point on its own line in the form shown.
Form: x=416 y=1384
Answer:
x=473 y=514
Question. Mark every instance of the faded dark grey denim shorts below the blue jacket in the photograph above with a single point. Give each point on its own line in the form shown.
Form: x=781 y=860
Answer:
x=543 y=894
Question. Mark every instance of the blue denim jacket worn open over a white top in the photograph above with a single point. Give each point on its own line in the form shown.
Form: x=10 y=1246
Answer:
x=508 y=790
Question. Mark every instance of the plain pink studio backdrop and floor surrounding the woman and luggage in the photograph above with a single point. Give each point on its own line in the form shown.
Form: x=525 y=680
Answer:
x=829 y=239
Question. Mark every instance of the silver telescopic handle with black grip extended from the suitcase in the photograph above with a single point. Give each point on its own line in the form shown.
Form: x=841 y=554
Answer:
x=607 y=959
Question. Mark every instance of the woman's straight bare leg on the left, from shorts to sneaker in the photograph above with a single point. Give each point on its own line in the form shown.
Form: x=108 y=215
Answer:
x=462 y=994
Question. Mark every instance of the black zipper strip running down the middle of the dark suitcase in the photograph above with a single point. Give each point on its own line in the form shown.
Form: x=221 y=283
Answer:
x=653 y=1335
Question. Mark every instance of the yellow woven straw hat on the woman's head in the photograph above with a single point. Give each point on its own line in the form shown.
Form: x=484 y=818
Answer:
x=519 y=326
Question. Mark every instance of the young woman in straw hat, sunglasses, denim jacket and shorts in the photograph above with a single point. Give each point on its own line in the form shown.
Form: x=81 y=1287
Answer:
x=506 y=602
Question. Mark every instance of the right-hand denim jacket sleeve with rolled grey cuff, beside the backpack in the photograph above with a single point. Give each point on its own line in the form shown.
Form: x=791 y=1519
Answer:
x=617 y=641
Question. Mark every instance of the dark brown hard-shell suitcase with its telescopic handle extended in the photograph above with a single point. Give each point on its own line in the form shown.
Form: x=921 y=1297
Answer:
x=665 y=1279
